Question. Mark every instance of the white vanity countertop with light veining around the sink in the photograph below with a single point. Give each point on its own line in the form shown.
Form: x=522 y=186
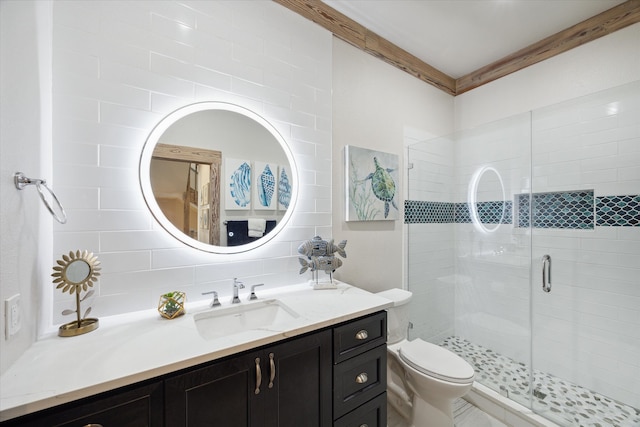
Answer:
x=140 y=346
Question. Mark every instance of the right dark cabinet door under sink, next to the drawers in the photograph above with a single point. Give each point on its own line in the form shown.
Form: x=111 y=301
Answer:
x=300 y=393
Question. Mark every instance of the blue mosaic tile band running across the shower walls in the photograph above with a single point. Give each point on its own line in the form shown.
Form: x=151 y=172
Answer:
x=578 y=210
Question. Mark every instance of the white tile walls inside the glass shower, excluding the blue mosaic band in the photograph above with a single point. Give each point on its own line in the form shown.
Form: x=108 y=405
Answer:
x=587 y=330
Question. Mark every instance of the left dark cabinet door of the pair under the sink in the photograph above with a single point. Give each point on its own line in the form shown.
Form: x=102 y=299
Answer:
x=221 y=394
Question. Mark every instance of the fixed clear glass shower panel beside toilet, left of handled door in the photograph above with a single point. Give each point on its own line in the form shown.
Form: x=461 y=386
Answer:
x=469 y=262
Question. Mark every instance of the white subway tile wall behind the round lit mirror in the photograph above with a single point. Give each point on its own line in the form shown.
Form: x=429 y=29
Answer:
x=118 y=68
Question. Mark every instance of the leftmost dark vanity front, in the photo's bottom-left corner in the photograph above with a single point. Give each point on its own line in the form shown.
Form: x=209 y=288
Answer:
x=128 y=407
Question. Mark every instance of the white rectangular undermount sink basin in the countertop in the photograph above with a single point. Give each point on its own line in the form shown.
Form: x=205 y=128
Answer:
x=222 y=321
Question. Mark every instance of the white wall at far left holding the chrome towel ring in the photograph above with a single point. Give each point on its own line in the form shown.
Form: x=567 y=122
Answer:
x=25 y=140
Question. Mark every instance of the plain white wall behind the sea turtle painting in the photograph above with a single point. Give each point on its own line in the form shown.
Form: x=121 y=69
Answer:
x=378 y=107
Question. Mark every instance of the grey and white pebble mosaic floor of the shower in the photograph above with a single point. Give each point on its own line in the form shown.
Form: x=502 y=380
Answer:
x=562 y=401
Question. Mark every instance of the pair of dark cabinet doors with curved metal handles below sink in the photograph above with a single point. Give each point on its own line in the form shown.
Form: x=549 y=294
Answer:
x=283 y=385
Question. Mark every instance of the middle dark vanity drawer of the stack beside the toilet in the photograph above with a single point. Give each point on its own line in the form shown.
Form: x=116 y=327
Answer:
x=358 y=380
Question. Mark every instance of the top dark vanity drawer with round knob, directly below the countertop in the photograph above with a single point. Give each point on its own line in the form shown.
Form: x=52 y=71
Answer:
x=357 y=337
